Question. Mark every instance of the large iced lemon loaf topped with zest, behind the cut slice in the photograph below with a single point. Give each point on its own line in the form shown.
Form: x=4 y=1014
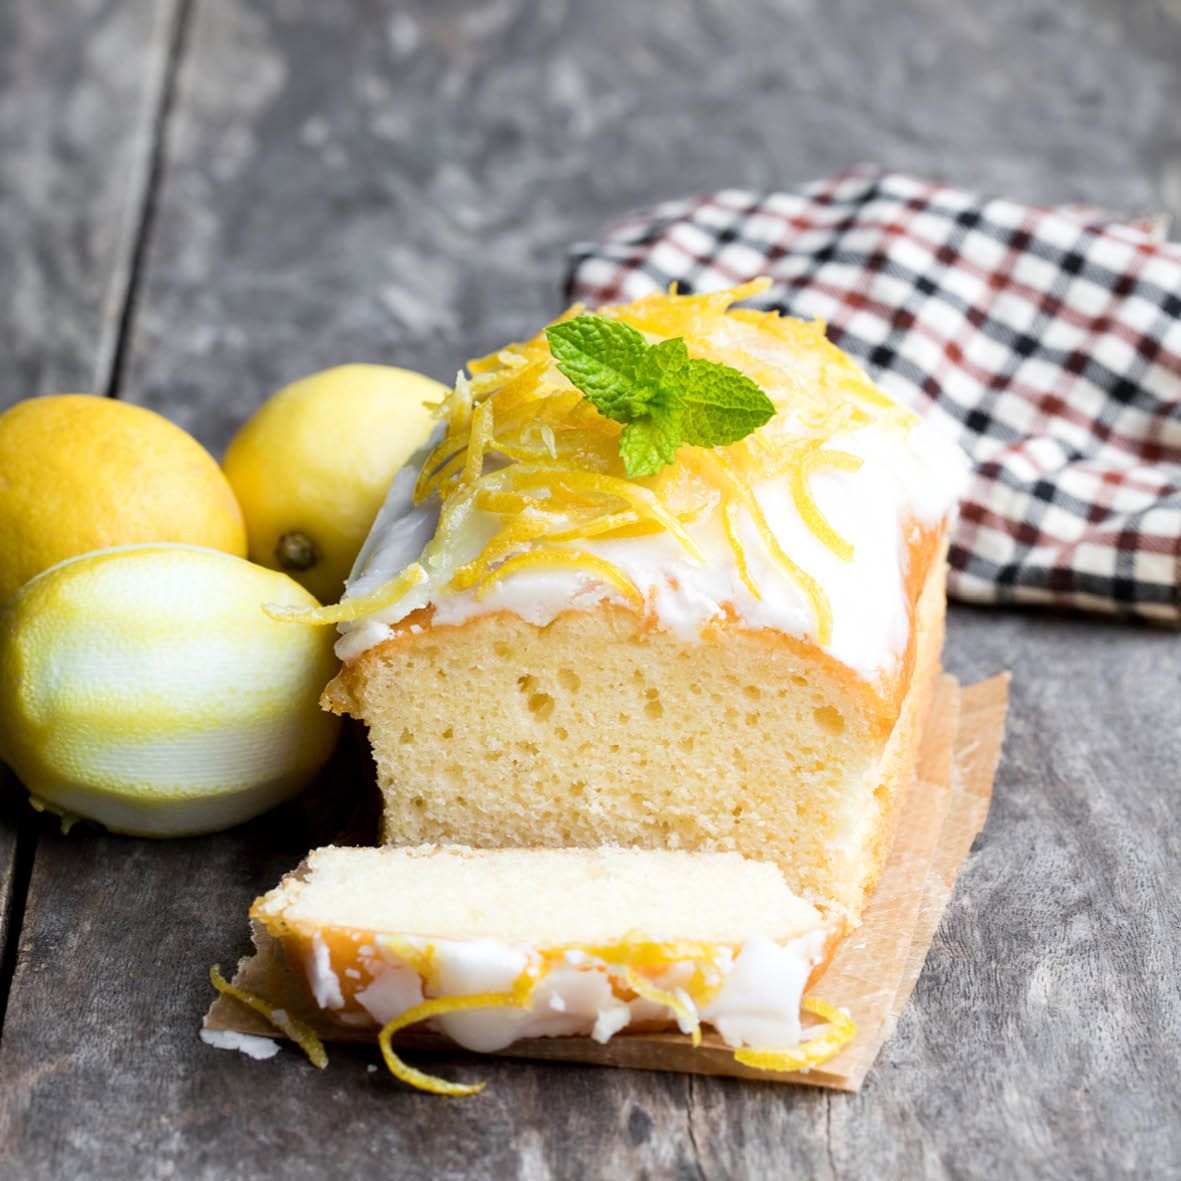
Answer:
x=734 y=654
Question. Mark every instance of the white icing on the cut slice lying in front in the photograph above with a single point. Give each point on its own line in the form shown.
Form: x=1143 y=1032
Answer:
x=759 y=1002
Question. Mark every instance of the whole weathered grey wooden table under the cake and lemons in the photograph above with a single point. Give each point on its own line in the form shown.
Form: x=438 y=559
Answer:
x=201 y=200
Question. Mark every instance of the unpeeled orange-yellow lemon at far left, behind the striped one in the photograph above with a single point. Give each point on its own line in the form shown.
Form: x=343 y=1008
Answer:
x=81 y=473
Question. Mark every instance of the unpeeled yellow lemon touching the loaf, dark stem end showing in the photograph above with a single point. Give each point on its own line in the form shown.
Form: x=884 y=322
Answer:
x=314 y=465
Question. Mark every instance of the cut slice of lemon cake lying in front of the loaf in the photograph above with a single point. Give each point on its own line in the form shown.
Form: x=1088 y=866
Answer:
x=493 y=947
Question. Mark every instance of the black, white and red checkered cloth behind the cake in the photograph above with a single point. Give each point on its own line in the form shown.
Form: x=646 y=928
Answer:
x=1048 y=341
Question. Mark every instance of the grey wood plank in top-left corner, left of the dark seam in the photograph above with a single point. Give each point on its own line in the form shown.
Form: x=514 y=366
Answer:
x=80 y=95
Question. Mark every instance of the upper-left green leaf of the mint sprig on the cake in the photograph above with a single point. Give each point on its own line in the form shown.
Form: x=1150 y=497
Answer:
x=602 y=357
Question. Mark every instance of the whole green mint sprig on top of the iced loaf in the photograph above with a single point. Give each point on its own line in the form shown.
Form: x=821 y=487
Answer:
x=664 y=397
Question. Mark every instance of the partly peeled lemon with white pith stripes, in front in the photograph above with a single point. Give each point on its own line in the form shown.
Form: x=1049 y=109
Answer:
x=145 y=688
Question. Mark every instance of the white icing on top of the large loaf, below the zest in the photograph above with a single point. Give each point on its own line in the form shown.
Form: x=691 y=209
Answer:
x=912 y=474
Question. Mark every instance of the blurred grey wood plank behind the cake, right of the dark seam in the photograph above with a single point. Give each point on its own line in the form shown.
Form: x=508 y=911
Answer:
x=399 y=182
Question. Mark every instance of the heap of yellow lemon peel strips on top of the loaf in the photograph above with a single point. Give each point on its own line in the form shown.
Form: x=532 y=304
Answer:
x=520 y=442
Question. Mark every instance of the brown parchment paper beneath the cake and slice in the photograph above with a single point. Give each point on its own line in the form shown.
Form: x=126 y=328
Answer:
x=872 y=974
